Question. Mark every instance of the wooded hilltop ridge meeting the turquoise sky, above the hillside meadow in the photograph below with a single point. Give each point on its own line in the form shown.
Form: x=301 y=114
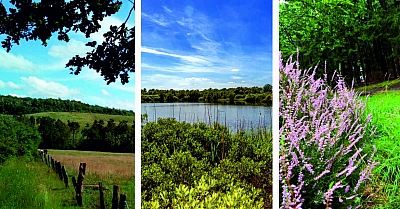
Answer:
x=10 y=105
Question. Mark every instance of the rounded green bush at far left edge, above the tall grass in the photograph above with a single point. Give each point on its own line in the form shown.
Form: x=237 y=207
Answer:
x=17 y=138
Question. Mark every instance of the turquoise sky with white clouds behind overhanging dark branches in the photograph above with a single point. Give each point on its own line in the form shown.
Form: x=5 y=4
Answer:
x=32 y=70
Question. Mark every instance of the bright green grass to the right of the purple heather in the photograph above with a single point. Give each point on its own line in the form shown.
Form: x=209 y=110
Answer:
x=385 y=109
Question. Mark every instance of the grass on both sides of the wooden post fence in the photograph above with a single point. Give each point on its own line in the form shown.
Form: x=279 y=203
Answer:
x=37 y=186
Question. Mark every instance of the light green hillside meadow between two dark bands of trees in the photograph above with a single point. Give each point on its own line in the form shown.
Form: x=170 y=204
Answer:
x=84 y=118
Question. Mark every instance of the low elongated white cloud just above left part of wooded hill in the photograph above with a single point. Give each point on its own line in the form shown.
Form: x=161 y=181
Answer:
x=42 y=88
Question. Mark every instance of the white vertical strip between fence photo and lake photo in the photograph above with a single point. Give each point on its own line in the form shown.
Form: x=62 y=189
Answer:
x=138 y=81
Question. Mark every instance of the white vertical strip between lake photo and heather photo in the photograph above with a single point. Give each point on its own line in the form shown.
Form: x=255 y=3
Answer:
x=275 y=104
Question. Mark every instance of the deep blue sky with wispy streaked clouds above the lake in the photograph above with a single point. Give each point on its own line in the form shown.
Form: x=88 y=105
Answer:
x=206 y=44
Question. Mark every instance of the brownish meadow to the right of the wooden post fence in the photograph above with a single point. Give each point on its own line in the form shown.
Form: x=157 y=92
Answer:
x=109 y=168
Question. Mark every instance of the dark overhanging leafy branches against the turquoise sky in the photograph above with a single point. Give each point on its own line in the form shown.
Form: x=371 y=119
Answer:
x=114 y=58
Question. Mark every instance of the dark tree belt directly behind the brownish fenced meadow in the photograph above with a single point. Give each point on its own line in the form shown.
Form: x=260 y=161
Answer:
x=99 y=136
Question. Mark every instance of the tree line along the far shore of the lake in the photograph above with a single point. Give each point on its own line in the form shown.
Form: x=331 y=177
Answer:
x=253 y=95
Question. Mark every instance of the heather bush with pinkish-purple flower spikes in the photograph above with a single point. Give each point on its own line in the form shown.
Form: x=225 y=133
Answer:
x=325 y=151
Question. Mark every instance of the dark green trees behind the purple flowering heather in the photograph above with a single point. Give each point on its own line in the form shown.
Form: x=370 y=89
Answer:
x=360 y=39
